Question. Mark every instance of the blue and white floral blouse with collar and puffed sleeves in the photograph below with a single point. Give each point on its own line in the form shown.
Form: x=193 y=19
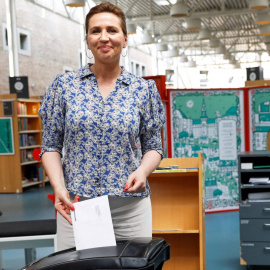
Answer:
x=104 y=139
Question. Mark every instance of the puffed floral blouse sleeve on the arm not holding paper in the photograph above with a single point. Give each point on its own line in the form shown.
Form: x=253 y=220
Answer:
x=153 y=118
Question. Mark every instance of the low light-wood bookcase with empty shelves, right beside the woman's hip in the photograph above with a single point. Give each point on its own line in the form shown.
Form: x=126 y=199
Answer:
x=178 y=211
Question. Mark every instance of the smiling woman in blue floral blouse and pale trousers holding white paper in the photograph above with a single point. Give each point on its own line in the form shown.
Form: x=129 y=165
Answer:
x=109 y=121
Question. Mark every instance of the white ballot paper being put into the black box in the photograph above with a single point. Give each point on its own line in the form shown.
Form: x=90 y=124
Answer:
x=92 y=223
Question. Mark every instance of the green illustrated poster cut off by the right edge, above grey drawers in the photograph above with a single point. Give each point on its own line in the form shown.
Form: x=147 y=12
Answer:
x=259 y=116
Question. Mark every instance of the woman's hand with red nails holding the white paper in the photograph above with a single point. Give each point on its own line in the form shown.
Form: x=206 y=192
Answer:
x=63 y=204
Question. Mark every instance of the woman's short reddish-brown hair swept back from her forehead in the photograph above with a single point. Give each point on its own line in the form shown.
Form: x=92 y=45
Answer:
x=107 y=7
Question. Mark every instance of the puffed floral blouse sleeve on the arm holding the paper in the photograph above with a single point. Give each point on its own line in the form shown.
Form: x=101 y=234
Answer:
x=52 y=116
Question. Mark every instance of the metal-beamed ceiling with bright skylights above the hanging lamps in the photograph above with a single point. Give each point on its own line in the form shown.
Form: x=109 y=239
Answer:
x=230 y=21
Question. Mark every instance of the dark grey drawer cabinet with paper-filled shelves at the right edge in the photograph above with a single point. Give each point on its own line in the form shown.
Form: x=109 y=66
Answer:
x=254 y=207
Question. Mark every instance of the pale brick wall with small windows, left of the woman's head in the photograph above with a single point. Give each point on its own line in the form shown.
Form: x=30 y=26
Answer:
x=55 y=44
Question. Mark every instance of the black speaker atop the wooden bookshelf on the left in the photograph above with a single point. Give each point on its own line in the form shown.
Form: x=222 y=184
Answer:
x=19 y=85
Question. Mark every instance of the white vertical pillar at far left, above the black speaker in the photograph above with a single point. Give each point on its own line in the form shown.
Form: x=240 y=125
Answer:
x=12 y=38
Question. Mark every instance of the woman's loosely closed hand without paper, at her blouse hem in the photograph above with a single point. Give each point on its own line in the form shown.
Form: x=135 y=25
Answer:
x=136 y=182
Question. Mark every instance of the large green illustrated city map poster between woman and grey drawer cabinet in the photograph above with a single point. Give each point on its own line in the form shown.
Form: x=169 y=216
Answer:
x=211 y=122
